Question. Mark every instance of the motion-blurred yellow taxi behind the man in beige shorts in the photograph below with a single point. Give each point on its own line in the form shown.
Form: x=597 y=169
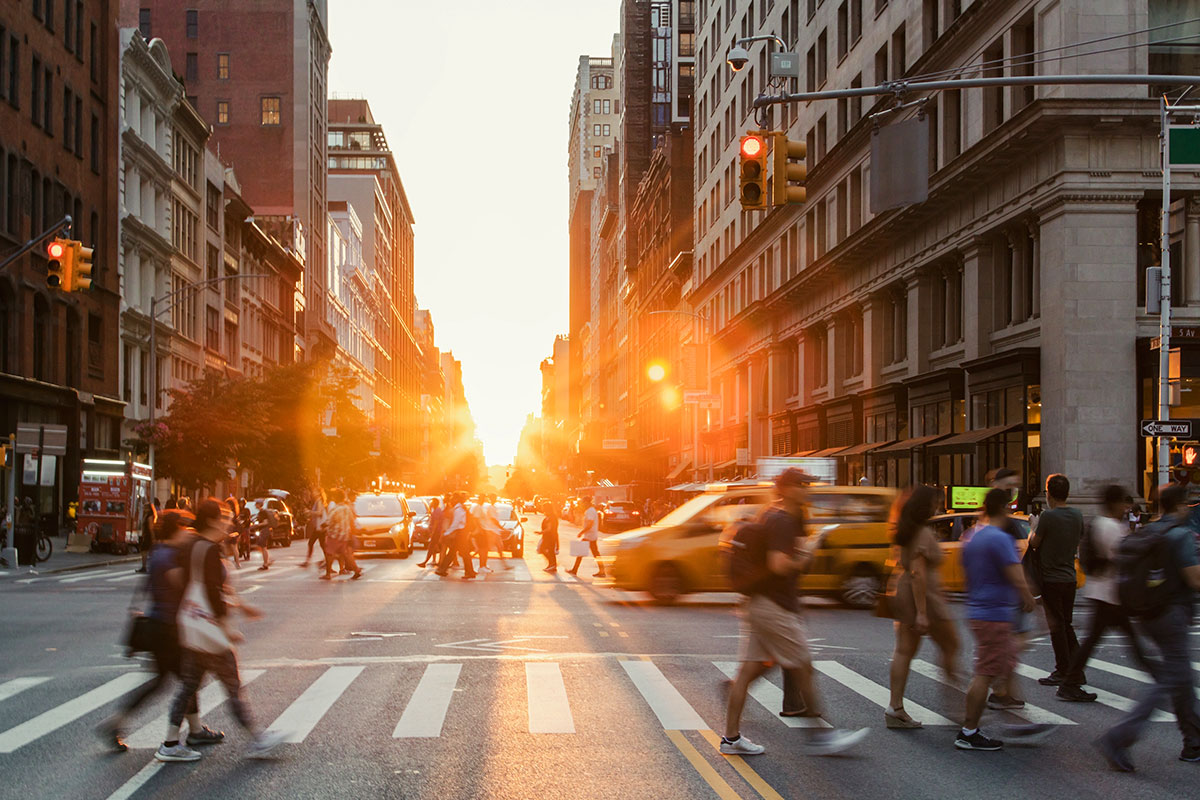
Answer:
x=681 y=554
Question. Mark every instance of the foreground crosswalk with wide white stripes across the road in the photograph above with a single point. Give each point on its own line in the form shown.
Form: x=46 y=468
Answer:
x=677 y=695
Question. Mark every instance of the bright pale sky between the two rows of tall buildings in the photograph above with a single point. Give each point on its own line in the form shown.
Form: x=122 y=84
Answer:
x=475 y=99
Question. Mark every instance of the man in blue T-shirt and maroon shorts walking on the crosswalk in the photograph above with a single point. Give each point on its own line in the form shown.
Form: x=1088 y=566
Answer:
x=995 y=585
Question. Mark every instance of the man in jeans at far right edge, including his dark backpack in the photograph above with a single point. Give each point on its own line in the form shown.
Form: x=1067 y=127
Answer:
x=1159 y=575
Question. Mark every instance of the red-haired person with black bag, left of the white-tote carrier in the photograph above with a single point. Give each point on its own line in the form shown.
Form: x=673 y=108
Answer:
x=165 y=591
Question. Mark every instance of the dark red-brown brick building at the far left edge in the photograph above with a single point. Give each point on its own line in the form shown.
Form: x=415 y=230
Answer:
x=58 y=157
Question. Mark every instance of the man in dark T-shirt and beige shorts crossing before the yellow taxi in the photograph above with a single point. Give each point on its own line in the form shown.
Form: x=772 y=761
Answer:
x=773 y=630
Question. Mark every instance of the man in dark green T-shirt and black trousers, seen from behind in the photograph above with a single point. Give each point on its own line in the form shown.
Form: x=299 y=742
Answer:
x=1057 y=542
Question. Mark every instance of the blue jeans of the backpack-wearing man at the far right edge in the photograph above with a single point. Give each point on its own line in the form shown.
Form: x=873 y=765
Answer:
x=1173 y=679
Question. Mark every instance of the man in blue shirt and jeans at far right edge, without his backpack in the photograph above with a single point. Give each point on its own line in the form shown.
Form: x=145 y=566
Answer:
x=1169 y=631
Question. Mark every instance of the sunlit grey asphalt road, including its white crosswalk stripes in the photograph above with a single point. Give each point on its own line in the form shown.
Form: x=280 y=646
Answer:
x=518 y=685
